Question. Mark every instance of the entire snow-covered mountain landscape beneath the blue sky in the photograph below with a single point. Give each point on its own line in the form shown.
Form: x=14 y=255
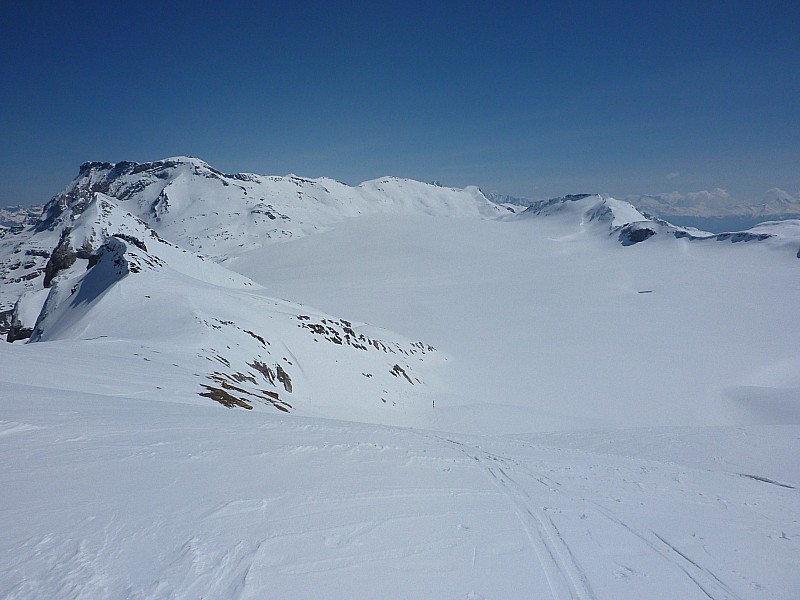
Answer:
x=579 y=402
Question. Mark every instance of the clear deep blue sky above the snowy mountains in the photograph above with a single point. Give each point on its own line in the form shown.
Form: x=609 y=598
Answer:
x=536 y=99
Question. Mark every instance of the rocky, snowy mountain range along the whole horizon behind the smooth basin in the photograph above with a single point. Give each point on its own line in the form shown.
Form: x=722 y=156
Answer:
x=183 y=202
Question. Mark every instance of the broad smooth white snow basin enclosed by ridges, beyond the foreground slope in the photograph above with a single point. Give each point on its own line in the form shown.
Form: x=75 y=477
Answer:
x=551 y=322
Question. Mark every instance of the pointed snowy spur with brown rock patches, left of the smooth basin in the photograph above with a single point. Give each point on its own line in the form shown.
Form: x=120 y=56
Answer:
x=229 y=342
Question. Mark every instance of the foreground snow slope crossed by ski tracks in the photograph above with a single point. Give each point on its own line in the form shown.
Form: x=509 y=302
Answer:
x=127 y=497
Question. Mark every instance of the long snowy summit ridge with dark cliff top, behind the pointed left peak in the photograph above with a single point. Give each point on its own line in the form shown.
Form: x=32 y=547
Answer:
x=196 y=206
